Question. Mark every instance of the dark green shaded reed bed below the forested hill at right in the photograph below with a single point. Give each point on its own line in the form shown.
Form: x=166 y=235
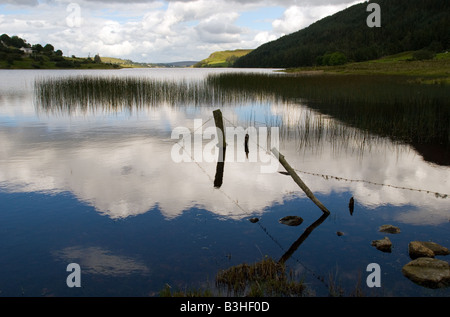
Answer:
x=389 y=106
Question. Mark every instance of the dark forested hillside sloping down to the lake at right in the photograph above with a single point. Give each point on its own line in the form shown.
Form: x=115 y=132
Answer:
x=406 y=25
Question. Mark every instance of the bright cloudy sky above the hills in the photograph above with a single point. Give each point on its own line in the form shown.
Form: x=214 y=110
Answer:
x=159 y=31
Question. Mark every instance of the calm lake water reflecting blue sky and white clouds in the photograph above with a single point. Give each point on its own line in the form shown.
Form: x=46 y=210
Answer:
x=108 y=187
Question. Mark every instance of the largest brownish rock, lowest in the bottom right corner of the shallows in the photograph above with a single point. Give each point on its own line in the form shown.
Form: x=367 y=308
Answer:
x=428 y=272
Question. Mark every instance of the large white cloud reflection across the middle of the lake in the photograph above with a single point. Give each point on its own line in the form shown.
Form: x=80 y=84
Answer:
x=120 y=163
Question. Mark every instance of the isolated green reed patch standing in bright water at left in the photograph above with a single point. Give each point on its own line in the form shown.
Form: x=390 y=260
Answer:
x=89 y=93
